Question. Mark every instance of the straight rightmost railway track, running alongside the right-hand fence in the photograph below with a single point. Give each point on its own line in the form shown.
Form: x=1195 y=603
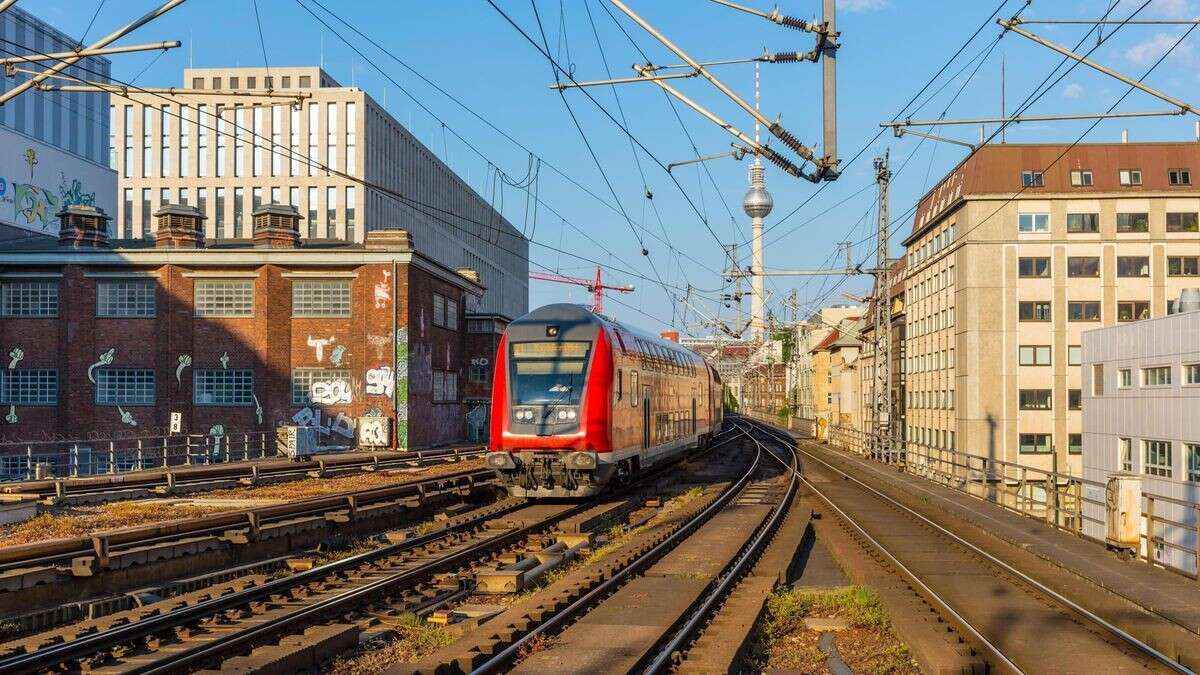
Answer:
x=1007 y=614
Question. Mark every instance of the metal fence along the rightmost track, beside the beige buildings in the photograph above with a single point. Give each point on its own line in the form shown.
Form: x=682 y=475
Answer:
x=1058 y=499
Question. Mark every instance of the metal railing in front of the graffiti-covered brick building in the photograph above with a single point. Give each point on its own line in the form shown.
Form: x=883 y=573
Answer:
x=93 y=457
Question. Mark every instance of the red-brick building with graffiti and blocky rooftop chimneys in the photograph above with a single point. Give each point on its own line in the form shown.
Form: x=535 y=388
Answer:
x=105 y=337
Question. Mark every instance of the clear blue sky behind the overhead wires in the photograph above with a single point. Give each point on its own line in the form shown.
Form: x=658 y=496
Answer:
x=584 y=174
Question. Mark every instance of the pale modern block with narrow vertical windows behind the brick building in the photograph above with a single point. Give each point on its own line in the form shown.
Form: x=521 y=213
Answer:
x=238 y=139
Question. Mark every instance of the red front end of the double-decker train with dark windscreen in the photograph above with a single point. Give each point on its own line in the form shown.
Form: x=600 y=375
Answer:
x=551 y=404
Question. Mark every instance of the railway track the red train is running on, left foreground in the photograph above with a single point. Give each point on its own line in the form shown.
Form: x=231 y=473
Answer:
x=190 y=636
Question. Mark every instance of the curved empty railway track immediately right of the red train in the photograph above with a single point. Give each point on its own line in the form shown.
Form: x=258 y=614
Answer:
x=731 y=530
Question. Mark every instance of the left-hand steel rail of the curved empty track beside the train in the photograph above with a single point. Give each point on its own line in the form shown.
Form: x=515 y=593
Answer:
x=505 y=656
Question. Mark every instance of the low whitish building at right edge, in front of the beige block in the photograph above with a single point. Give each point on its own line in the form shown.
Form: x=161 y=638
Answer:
x=1142 y=395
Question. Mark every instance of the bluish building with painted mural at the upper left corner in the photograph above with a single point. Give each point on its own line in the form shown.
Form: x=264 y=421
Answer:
x=52 y=145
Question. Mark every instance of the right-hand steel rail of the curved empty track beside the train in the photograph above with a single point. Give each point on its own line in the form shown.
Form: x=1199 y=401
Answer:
x=734 y=572
